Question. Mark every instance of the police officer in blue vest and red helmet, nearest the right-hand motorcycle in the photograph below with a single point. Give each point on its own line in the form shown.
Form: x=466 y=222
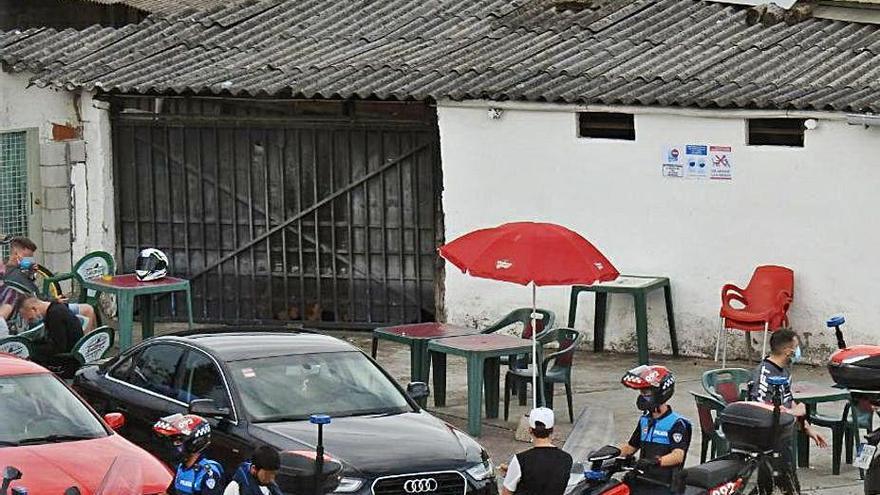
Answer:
x=662 y=437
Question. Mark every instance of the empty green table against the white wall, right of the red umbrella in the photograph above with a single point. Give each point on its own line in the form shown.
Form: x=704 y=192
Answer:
x=638 y=286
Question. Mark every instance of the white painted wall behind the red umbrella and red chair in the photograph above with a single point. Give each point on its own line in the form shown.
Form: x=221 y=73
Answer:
x=814 y=209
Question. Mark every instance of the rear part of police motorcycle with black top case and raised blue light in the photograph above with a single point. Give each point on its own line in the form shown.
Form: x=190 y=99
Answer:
x=757 y=434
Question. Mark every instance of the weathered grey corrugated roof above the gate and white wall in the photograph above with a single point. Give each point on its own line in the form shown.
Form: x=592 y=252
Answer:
x=648 y=52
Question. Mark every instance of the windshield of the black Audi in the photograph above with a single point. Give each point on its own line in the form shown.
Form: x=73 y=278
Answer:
x=295 y=386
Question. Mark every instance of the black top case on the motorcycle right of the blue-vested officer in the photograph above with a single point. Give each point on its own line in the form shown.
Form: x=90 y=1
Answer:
x=749 y=425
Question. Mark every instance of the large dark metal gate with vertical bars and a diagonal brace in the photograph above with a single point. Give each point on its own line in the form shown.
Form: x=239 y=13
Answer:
x=294 y=210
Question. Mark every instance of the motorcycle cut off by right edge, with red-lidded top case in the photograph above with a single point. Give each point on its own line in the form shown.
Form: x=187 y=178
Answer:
x=857 y=368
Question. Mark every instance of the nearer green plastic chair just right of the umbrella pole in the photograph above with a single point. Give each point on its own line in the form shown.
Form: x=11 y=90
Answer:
x=555 y=368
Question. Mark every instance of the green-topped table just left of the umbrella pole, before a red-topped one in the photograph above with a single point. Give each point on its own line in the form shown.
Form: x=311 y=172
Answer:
x=483 y=353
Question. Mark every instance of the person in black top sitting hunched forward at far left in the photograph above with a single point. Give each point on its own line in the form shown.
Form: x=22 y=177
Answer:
x=63 y=330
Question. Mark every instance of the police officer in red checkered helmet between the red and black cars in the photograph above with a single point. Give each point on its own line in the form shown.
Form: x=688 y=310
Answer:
x=190 y=435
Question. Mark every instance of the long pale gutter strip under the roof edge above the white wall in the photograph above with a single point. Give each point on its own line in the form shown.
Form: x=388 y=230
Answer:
x=645 y=110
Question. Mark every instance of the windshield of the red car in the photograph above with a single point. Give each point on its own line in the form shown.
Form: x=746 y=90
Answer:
x=39 y=409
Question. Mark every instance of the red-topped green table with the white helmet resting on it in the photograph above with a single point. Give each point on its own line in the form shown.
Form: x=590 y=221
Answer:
x=126 y=288
